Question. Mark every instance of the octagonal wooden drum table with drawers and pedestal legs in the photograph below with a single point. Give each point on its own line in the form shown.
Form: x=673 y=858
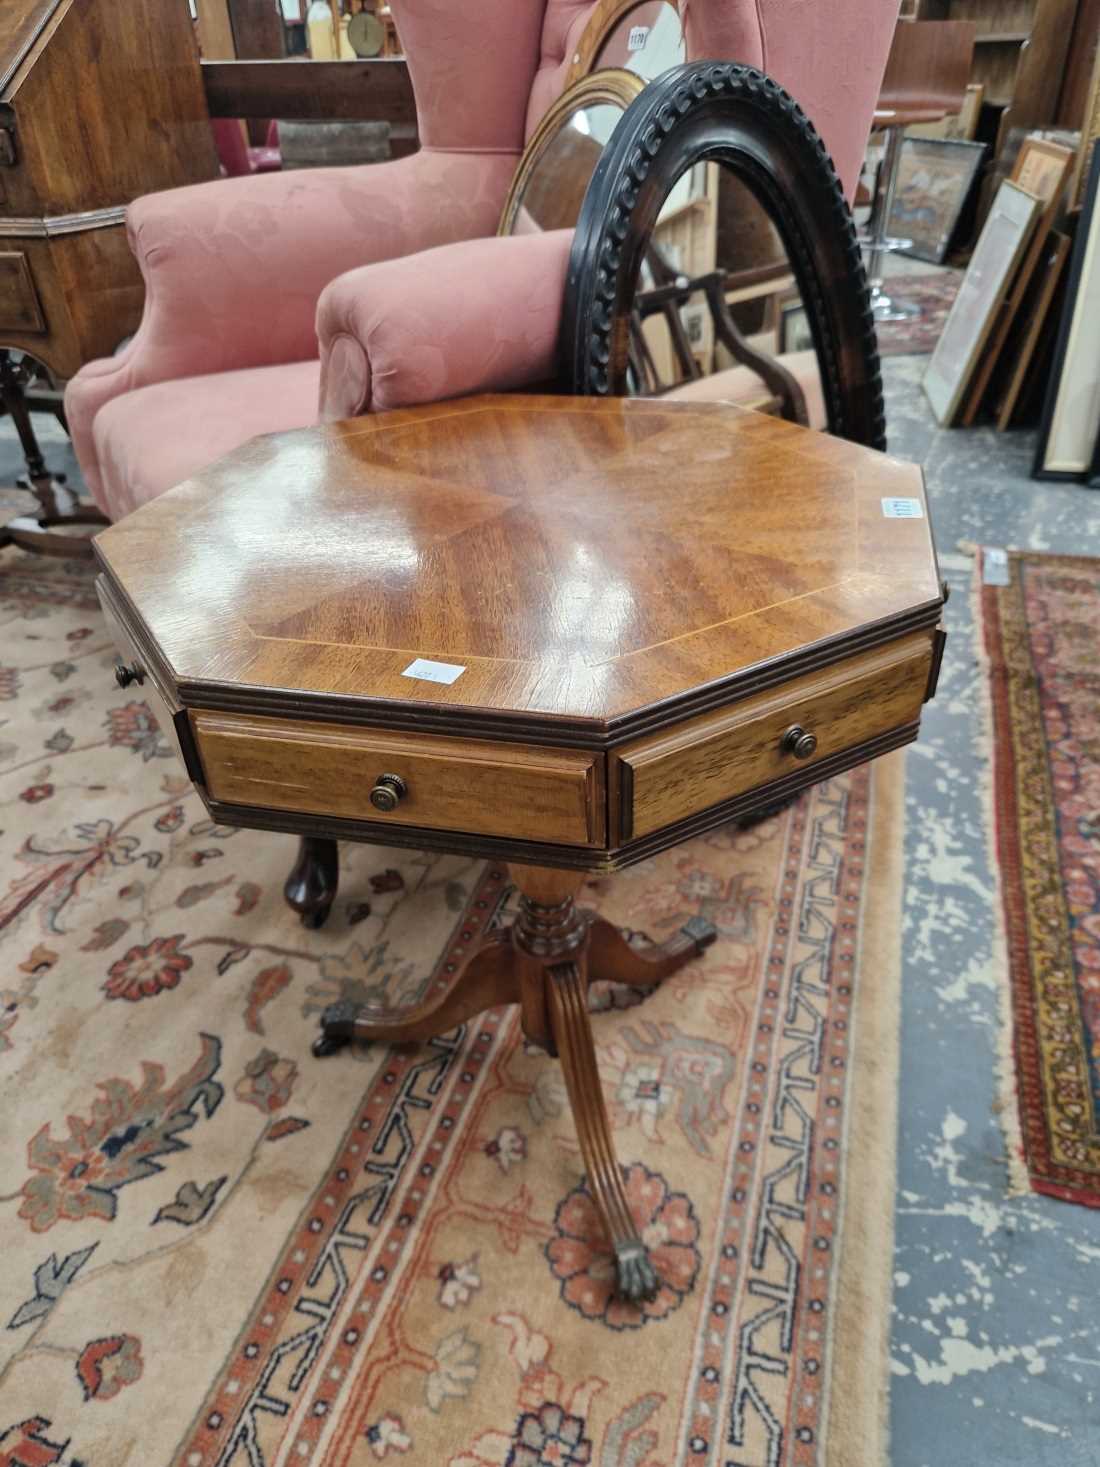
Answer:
x=560 y=632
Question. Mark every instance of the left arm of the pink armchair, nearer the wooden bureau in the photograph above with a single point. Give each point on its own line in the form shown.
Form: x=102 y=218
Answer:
x=234 y=269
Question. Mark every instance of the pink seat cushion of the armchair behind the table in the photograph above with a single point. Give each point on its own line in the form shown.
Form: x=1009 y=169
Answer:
x=155 y=438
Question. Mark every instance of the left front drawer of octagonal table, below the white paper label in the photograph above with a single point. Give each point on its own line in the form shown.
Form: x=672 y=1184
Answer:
x=450 y=784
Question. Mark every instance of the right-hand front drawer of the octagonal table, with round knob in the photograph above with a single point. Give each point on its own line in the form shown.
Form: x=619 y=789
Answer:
x=668 y=777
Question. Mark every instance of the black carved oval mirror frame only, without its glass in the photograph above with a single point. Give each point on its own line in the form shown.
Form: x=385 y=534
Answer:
x=737 y=117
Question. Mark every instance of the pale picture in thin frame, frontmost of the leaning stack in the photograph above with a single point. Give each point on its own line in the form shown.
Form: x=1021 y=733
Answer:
x=992 y=266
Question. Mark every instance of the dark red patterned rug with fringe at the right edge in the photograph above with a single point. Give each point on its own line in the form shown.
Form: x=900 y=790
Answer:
x=1042 y=633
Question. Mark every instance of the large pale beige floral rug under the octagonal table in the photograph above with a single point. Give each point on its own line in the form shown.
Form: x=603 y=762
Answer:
x=219 y=1251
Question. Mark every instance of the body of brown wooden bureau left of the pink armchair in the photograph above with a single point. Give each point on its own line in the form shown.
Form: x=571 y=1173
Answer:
x=100 y=102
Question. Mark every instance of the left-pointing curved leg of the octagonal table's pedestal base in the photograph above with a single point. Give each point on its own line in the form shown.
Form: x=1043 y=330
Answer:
x=486 y=979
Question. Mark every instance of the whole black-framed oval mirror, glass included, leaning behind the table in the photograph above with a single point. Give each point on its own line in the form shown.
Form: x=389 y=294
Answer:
x=715 y=259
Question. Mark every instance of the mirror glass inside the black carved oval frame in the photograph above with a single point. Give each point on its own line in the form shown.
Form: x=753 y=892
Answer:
x=718 y=313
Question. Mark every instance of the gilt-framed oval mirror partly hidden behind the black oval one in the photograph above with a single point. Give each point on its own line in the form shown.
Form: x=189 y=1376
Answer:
x=560 y=161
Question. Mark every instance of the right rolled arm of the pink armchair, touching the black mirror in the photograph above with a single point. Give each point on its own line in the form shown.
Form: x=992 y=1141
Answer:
x=482 y=316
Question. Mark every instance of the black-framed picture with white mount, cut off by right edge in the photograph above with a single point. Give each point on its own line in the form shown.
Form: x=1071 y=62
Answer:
x=1071 y=413
